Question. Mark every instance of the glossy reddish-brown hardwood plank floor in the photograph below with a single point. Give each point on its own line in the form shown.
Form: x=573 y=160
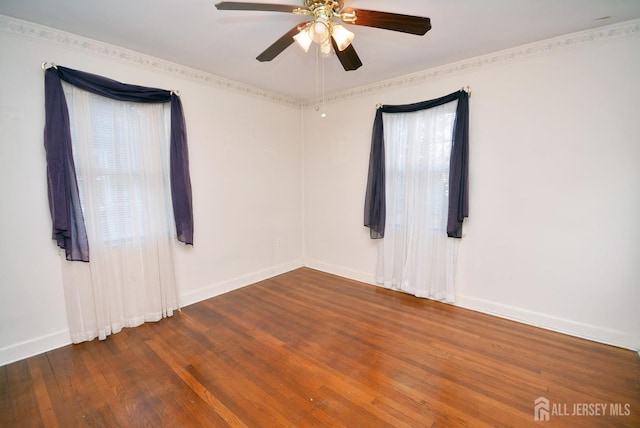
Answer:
x=311 y=349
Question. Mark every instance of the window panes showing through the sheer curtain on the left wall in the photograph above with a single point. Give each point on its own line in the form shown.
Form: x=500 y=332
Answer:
x=117 y=166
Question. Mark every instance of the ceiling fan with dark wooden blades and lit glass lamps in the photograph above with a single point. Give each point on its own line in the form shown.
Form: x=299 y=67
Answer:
x=325 y=29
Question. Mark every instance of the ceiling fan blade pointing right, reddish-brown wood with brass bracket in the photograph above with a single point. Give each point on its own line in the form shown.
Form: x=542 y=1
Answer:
x=389 y=21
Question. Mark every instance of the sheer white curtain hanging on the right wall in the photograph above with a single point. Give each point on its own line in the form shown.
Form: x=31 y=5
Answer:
x=415 y=255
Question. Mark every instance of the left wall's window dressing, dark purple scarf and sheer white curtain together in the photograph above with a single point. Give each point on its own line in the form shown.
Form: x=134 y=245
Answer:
x=125 y=204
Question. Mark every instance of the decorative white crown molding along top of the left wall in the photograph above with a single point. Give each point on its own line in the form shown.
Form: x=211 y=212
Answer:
x=29 y=30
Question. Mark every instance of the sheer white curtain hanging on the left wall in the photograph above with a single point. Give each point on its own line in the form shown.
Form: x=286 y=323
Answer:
x=121 y=153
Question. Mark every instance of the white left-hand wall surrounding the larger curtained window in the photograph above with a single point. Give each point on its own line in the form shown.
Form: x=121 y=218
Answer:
x=244 y=148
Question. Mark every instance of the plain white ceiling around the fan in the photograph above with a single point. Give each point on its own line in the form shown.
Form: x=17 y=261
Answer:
x=225 y=43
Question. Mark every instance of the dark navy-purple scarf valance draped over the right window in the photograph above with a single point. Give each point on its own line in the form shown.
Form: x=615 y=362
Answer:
x=374 y=208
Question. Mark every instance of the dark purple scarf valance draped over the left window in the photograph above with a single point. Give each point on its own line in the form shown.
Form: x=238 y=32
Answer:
x=68 y=223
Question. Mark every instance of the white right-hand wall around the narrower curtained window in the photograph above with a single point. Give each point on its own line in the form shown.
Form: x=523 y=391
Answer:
x=553 y=237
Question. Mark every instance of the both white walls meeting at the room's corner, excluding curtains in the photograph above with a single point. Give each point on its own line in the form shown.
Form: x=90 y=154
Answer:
x=555 y=168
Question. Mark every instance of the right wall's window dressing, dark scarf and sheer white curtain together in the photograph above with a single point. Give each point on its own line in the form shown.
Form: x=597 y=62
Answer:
x=417 y=193
